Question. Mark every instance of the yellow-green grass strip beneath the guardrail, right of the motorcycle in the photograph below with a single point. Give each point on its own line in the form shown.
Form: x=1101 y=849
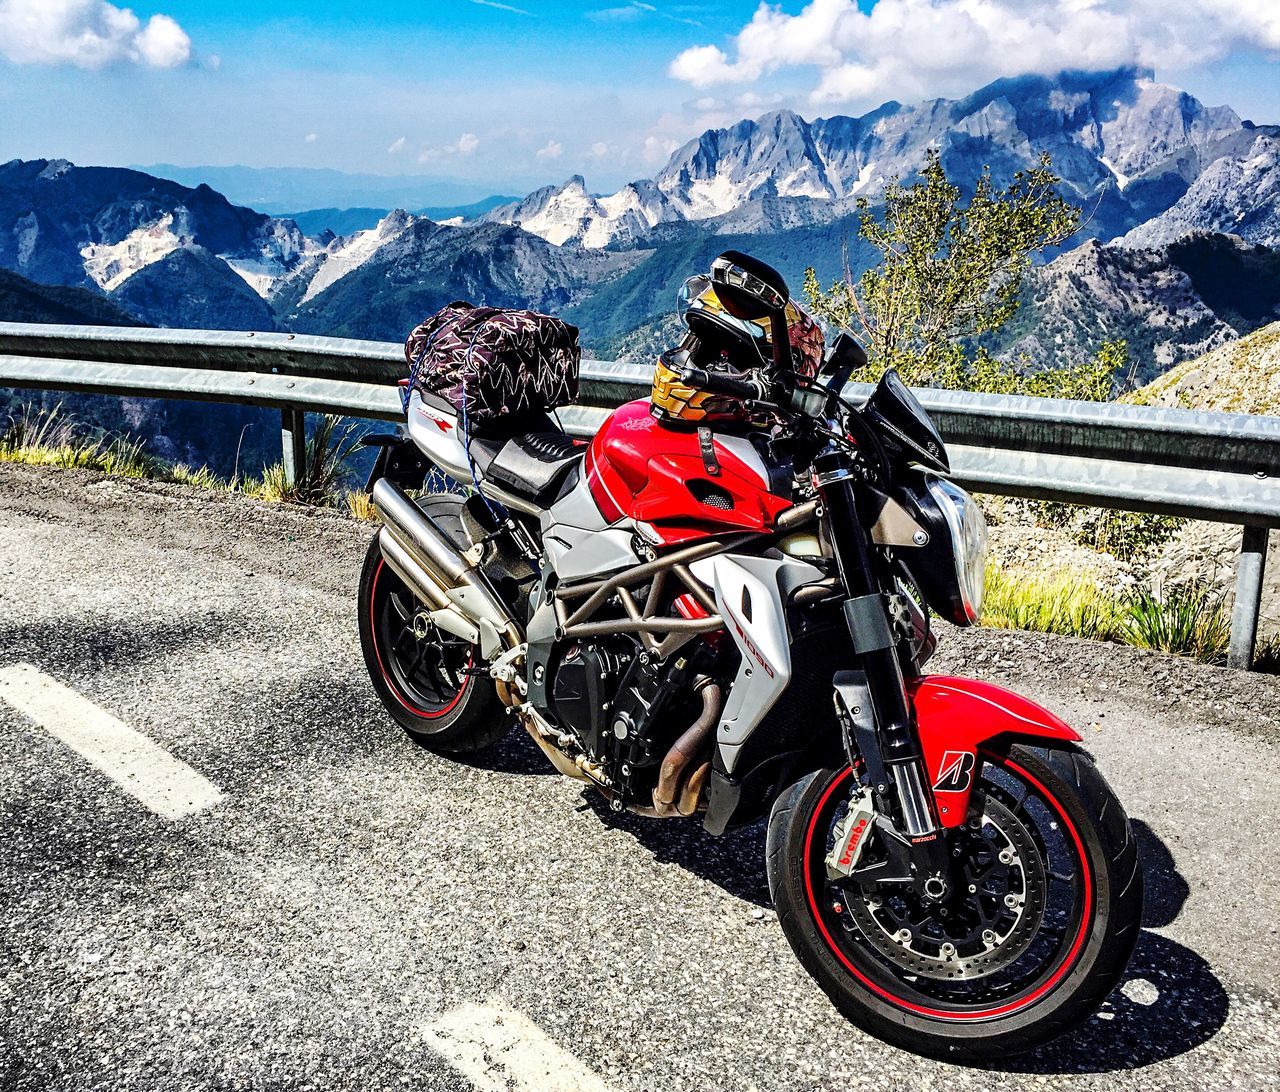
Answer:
x=1188 y=620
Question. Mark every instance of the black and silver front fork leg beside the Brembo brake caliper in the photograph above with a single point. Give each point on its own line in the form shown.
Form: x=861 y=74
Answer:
x=884 y=735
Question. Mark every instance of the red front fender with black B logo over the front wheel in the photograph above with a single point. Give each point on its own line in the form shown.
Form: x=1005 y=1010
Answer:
x=956 y=718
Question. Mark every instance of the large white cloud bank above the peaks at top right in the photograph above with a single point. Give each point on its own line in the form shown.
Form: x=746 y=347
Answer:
x=916 y=48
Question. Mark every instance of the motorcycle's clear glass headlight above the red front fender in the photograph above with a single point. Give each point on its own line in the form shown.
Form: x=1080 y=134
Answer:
x=952 y=568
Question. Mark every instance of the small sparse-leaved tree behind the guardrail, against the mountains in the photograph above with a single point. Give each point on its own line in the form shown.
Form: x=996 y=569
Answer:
x=950 y=271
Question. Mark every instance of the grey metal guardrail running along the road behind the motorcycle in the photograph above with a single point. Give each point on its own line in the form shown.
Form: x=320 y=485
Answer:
x=1208 y=467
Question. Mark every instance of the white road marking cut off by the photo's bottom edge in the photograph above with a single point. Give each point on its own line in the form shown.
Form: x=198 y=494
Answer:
x=501 y=1050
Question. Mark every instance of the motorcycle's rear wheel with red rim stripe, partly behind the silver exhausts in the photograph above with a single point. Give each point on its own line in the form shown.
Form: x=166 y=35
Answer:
x=423 y=680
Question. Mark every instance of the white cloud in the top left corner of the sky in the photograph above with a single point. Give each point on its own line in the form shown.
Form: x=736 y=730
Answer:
x=89 y=34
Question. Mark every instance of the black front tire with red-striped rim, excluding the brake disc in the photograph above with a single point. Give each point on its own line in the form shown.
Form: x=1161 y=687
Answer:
x=892 y=1003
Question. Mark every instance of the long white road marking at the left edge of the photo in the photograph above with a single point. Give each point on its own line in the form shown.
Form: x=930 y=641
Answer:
x=145 y=770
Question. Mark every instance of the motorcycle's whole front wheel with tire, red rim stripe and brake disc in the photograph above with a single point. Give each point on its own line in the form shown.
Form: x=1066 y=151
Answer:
x=1043 y=911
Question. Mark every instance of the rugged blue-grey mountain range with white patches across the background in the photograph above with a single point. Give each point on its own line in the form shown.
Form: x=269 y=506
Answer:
x=1181 y=208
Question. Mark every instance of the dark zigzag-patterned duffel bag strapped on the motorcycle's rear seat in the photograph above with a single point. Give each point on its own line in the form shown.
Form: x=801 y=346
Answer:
x=491 y=363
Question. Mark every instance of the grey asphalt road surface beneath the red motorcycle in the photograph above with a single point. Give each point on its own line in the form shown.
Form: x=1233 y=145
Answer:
x=354 y=907
